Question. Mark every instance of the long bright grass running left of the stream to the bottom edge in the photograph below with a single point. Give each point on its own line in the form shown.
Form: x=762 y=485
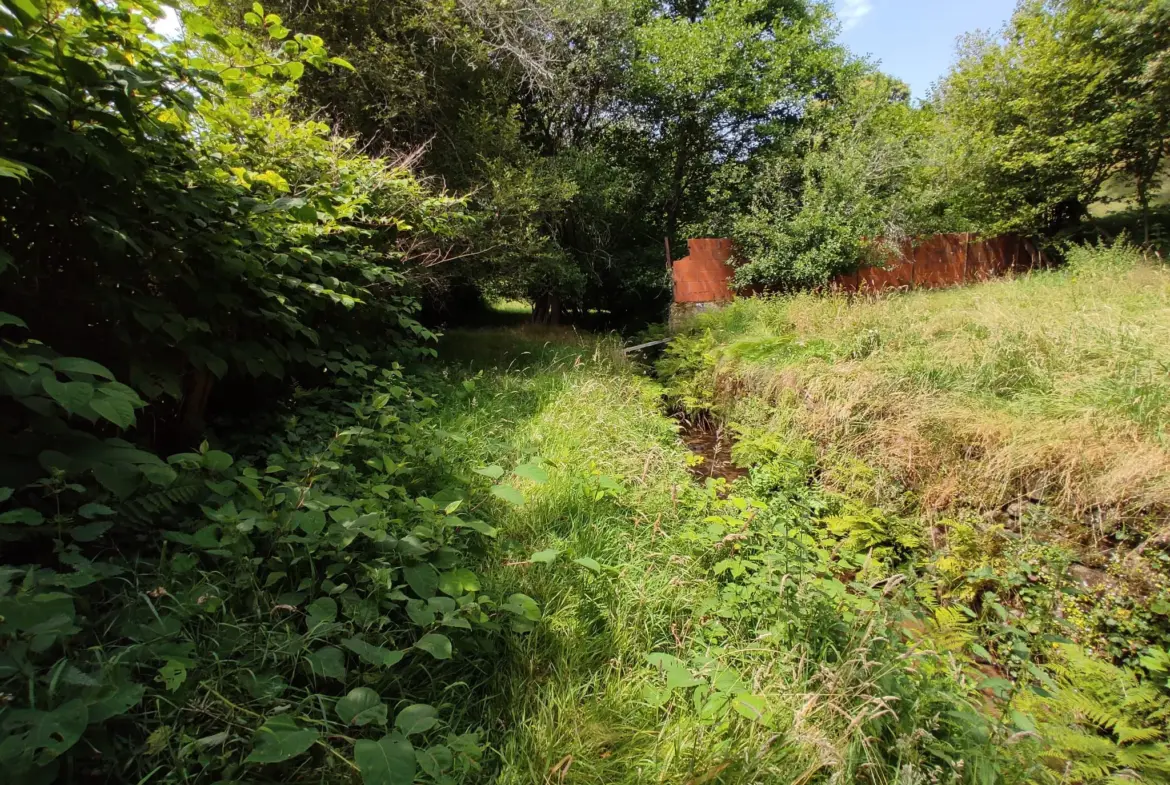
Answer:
x=808 y=694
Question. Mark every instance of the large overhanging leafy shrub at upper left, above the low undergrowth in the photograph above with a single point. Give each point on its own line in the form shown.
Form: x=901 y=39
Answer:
x=222 y=239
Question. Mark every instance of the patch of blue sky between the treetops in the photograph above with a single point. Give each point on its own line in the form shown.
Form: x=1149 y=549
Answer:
x=916 y=39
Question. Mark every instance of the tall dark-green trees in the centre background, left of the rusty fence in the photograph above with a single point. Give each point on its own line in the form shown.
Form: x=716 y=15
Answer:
x=588 y=132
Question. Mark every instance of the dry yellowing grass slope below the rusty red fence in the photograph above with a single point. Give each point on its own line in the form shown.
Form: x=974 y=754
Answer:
x=1054 y=387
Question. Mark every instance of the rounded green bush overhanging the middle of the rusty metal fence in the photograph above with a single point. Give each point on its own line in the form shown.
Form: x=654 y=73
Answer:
x=857 y=183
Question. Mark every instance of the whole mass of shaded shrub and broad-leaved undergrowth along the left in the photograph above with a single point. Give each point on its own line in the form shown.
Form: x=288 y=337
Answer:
x=307 y=604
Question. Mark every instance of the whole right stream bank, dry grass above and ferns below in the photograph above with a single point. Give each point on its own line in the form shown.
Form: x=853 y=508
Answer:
x=1002 y=450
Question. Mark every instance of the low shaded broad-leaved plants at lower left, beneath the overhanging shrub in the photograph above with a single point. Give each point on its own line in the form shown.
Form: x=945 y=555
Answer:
x=207 y=614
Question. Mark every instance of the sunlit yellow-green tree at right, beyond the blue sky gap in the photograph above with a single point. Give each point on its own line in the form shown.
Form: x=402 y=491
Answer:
x=1069 y=98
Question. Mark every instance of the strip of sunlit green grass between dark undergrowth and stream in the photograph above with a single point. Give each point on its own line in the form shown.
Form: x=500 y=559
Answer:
x=569 y=701
